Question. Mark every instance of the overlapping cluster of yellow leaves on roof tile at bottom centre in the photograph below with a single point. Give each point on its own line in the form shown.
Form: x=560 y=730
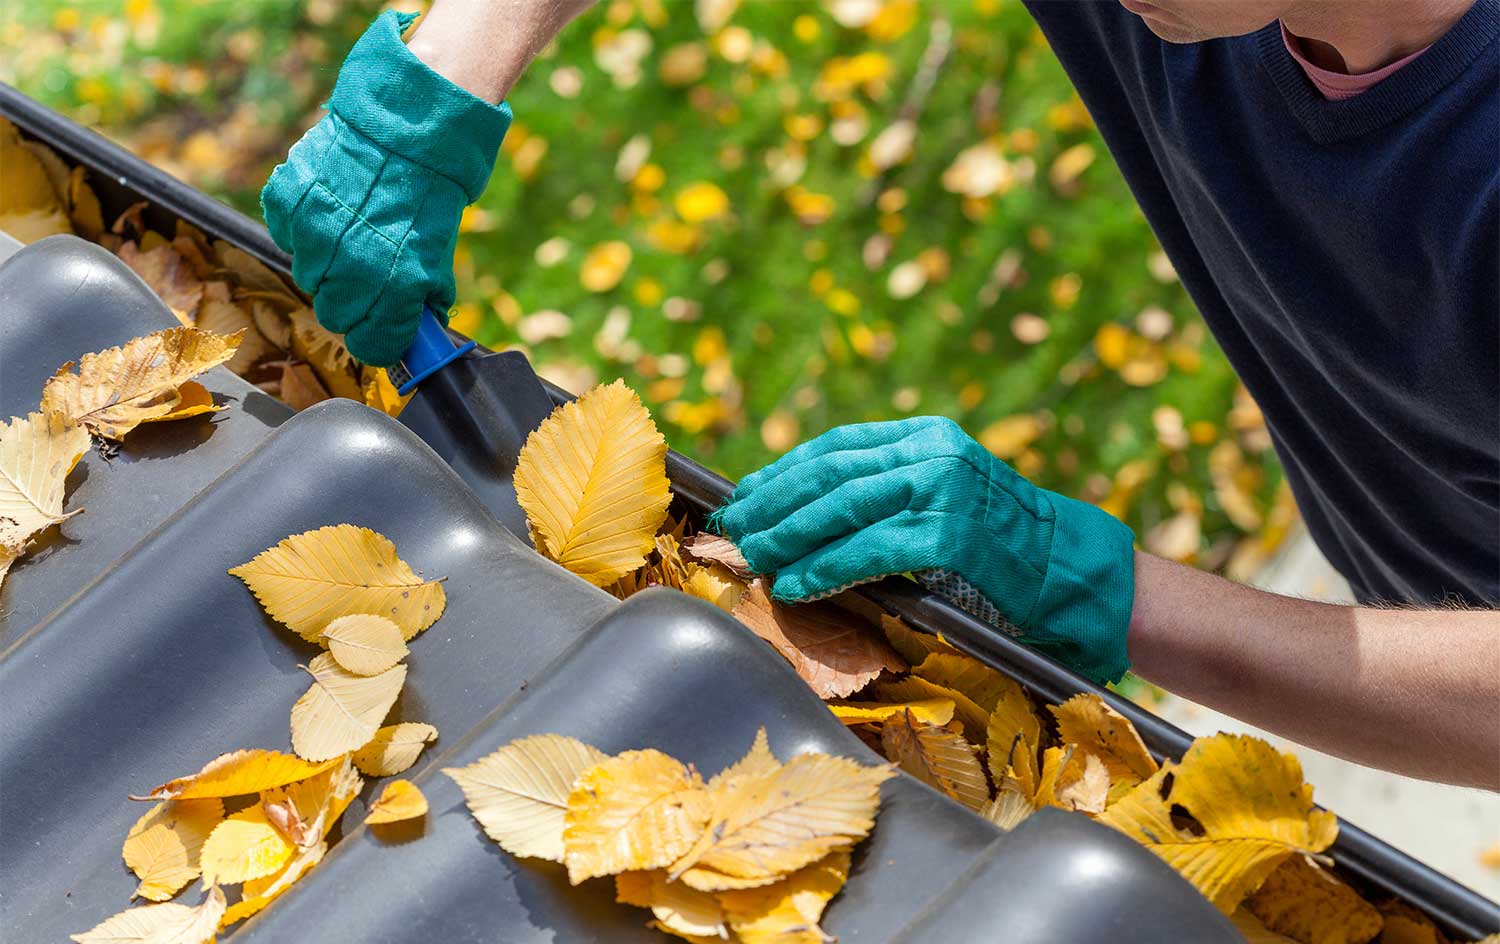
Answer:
x=754 y=856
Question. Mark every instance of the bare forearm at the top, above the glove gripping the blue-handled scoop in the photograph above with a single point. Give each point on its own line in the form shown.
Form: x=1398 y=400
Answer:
x=485 y=46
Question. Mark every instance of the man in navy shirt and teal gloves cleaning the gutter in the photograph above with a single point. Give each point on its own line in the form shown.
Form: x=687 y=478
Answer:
x=1346 y=256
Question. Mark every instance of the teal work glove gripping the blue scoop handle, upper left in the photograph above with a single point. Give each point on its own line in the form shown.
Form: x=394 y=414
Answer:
x=368 y=202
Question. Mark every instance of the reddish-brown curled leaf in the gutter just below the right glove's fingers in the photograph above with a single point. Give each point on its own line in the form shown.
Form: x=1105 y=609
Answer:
x=835 y=654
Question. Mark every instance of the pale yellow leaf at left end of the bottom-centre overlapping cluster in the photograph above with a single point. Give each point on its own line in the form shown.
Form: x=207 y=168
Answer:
x=520 y=793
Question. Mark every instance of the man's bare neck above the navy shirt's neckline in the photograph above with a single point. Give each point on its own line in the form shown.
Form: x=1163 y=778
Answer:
x=1366 y=35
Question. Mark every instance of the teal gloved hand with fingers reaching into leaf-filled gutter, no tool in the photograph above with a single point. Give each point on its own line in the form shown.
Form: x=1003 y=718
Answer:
x=920 y=496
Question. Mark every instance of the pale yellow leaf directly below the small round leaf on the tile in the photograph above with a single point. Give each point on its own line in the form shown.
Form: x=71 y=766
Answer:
x=341 y=712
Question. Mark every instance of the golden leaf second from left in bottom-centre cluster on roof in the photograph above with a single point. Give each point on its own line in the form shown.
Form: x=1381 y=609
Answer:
x=637 y=811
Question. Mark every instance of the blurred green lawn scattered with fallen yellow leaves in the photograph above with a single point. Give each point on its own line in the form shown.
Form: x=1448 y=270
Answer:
x=1037 y=310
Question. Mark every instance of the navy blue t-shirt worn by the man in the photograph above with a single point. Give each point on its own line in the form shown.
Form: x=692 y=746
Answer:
x=1346 y=257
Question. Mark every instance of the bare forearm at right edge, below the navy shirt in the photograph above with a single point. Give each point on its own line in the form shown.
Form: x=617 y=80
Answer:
x=1412 y=691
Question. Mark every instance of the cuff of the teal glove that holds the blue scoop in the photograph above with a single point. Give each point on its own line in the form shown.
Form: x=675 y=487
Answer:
x=392 y=98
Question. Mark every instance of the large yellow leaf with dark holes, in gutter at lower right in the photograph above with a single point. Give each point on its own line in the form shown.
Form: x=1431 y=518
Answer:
x=1252 y=813
